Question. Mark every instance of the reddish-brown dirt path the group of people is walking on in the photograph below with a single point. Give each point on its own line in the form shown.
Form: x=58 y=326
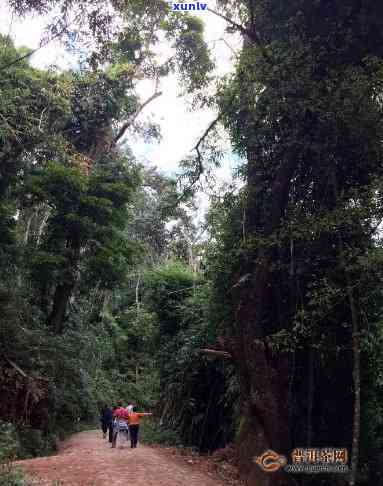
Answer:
x=87 y=460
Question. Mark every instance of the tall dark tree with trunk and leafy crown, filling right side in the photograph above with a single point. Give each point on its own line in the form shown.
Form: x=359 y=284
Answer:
x=302 y=111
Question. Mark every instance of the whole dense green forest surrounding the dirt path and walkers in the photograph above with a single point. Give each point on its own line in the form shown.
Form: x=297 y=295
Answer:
x=266 y=332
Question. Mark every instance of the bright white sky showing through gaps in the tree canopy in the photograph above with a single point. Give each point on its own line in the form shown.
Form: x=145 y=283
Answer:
x=180 y=127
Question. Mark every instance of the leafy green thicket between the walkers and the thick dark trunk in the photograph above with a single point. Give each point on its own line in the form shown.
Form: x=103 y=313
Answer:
x=195 y=398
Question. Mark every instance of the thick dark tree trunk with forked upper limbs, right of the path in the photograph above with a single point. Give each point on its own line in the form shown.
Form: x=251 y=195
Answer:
x=264 y=376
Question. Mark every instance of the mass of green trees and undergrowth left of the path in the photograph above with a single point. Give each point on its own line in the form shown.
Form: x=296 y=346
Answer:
x=65 y=250
